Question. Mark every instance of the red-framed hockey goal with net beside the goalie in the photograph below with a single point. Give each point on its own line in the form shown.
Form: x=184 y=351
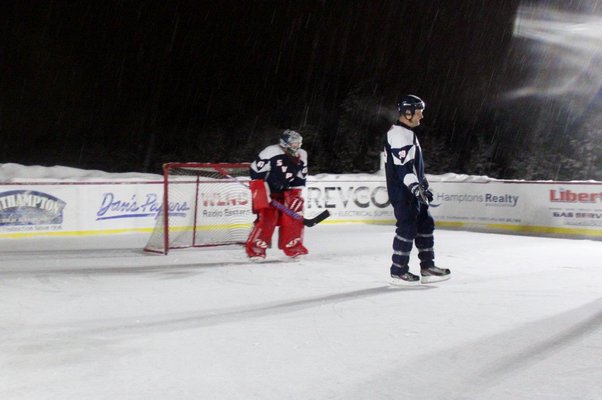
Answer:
x=203 y=205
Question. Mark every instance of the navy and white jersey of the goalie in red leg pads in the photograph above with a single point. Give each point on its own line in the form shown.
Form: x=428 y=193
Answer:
x=280 y=170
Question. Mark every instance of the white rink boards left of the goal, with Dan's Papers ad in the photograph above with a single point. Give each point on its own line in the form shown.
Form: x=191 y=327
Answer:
x=78 y=208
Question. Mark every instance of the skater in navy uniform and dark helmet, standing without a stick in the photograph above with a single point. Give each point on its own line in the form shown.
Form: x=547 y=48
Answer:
x=410 y=197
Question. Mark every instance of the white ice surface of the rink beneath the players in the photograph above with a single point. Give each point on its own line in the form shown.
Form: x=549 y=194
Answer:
x=521 y=318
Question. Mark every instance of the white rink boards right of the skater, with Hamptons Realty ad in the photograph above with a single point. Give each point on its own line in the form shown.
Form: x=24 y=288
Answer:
x=563 y=208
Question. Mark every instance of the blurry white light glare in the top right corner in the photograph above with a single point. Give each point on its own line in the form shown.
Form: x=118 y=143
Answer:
x=563 y=52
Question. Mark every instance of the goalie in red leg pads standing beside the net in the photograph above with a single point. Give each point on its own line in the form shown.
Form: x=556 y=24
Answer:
x=279 y=173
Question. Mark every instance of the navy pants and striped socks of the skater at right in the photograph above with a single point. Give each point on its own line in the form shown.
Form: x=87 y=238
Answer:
x=413 y=225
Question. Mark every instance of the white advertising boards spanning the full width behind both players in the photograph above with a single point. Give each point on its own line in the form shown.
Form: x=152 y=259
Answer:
x=571 y=209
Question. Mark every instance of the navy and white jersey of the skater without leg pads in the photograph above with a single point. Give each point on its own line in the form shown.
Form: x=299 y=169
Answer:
x=404 y=165
